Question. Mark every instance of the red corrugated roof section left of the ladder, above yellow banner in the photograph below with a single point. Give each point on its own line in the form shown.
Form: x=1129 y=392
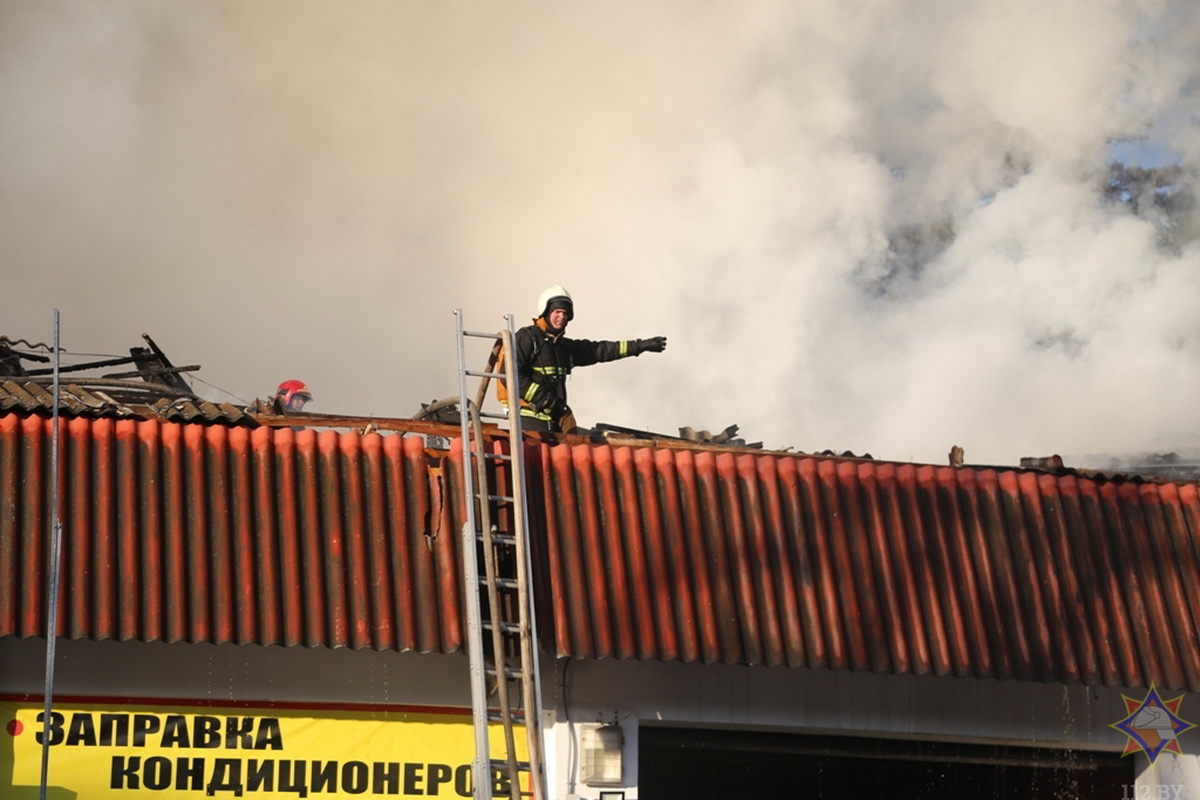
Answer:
x=189 y=533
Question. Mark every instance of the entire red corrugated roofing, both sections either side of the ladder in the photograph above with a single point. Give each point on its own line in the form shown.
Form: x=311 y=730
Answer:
x=213 y=534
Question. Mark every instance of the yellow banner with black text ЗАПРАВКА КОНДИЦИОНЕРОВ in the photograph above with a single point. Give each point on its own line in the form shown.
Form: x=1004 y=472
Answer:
x=101 y=751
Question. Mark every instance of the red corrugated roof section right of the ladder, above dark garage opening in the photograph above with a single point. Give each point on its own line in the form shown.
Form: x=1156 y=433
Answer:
x=782 y=560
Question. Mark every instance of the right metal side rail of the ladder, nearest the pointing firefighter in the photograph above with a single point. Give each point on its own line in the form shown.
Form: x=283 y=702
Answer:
x=532 y=679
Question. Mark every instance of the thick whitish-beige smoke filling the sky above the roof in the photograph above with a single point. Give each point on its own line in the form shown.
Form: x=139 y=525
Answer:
x=873 y=227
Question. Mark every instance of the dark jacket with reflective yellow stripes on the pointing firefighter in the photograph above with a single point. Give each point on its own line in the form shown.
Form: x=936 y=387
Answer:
x=544 y=363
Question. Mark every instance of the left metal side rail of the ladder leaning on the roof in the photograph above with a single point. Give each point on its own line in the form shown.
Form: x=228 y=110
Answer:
x=482 y=765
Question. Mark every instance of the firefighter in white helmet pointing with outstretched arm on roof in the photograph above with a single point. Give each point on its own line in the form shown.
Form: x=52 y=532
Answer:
x=545 y=359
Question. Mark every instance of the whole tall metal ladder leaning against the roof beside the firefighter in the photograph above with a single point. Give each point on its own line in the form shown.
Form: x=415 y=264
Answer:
x=502 y=631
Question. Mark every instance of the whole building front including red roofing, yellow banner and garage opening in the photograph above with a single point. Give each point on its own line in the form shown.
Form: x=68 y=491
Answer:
x=280 y=612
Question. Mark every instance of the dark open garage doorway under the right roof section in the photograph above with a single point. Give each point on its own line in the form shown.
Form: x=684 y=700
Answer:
x=734 y=765
